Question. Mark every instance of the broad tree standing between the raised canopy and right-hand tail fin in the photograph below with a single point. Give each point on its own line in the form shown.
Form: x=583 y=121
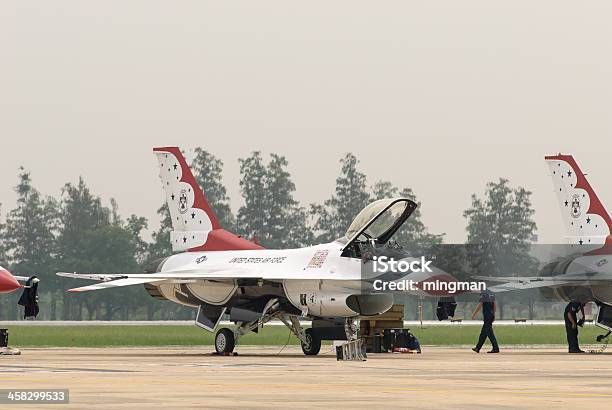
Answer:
x=500 y=229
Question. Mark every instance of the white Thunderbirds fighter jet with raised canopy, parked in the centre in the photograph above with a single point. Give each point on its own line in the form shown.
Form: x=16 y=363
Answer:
x=221 y=273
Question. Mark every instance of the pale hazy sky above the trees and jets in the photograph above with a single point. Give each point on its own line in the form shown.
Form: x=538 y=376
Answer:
x=440 y=96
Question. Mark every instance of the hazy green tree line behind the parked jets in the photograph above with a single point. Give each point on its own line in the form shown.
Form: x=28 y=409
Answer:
x=78 y=232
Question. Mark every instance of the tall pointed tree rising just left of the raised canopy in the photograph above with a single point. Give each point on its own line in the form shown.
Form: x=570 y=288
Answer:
x=336 y=214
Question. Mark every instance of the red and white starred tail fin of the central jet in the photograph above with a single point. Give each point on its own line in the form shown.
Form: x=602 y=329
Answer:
x=194 y=224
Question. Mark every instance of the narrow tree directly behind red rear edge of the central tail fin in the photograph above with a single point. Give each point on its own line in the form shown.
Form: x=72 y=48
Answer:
x=207 y=169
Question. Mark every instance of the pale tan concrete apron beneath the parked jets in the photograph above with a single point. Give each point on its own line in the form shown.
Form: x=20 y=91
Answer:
x=258 y=377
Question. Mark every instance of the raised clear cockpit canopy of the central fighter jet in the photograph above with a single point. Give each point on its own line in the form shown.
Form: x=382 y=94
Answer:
x=376 y=224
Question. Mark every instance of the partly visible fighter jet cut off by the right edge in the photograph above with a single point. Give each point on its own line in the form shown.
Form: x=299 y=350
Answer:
x=582 y=269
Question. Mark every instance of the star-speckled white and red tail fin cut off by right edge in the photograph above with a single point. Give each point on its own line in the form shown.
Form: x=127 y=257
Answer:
x=586 y=220
